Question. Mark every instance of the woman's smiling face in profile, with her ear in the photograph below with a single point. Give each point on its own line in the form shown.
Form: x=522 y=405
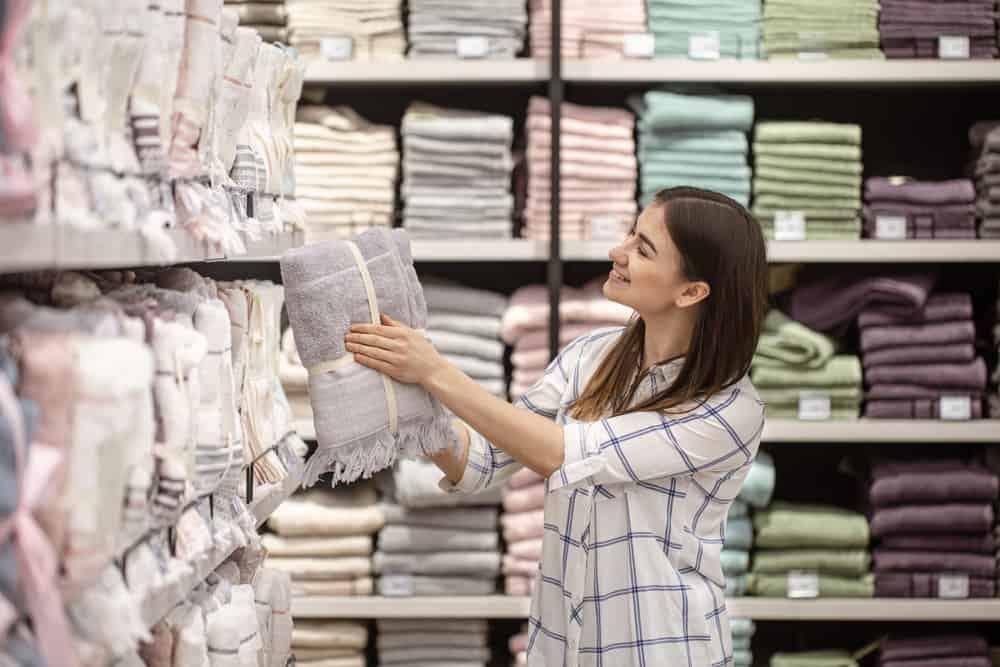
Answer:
x=647 y=269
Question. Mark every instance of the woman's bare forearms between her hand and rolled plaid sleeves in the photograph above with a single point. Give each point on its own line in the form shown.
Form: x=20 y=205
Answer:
x=534 y=441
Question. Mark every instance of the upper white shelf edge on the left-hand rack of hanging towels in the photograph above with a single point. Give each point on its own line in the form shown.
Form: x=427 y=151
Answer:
x=26 y=247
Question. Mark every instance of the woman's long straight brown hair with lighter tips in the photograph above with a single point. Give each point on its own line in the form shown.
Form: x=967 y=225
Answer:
x=721 y=244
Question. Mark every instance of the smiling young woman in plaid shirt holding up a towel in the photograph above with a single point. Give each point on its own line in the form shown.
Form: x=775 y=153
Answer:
x=644 y=434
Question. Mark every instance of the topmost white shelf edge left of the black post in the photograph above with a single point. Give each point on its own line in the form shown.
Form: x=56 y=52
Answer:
x=331 y=73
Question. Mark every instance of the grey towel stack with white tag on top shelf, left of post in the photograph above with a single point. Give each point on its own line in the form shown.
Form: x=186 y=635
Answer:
x=436 y=28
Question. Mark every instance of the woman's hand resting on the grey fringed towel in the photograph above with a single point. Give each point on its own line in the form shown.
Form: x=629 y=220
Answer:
x=394 y=349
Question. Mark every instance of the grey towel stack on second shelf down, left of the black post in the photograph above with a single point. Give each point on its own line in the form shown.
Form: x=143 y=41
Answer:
x=457 y=173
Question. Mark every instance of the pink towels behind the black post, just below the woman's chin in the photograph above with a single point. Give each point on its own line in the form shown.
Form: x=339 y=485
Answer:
x=526 y=321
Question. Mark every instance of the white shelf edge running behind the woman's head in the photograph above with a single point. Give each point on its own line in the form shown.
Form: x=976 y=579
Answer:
x=861 y=251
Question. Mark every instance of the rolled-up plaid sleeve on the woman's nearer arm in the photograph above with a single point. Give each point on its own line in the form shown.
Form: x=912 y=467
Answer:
x=643 y=446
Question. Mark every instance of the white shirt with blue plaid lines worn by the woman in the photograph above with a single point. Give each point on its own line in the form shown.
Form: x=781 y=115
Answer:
x=634 y=520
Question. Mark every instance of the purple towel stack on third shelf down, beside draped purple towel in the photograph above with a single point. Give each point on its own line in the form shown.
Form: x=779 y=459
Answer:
x=912 y=361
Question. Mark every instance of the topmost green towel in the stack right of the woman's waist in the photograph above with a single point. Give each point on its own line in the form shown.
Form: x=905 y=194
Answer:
x=787 y=525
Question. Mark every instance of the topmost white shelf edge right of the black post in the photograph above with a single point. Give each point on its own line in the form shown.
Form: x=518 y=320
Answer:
x=845 y=72
